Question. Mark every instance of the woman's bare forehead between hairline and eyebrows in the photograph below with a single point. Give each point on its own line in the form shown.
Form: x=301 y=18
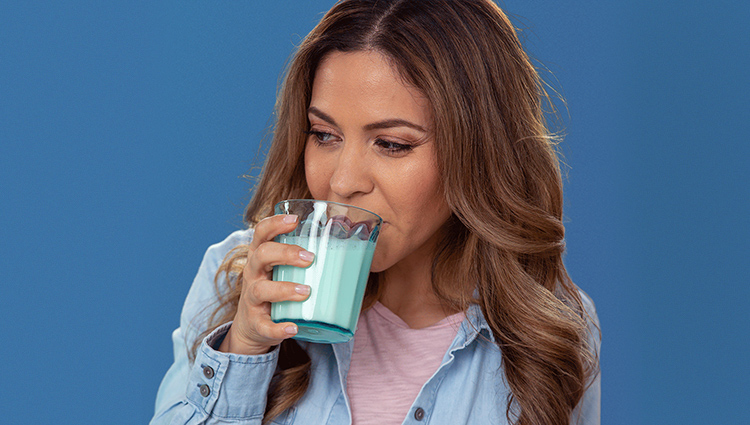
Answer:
x=367 y=82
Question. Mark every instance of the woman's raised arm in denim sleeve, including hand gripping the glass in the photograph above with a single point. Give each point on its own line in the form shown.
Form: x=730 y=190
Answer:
x=236 y=362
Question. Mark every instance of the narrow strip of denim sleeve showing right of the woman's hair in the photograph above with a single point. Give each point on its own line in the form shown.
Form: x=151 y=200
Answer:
x=588 y=411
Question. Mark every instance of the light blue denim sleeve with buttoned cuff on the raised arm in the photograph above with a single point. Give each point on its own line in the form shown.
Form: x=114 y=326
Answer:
x=197 y=392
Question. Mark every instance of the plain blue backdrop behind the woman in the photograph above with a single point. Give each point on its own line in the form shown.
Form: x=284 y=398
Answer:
x=125 y=128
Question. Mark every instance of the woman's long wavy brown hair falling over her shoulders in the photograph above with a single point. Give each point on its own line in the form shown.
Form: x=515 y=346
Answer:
x=505 y=239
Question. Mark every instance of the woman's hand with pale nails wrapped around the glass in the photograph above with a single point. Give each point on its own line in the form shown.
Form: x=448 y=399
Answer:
x=252 y=331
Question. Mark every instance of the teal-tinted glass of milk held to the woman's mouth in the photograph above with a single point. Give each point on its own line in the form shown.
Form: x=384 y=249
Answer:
x=342 y=237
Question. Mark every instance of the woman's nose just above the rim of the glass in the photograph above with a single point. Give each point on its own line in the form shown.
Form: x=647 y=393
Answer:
x=352 y=176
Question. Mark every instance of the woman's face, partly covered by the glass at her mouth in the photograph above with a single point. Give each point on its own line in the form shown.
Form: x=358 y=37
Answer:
x=370 y=145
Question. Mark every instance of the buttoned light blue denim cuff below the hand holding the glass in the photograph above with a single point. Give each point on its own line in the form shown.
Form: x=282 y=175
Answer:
x=230 y=386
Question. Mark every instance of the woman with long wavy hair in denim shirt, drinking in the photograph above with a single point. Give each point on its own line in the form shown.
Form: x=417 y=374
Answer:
x=429 y=114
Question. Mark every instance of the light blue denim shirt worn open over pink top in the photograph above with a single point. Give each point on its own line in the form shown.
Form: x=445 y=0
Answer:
x=223 y=388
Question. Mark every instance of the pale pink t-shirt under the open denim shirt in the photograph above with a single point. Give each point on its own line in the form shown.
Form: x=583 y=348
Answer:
x=391 y=362
